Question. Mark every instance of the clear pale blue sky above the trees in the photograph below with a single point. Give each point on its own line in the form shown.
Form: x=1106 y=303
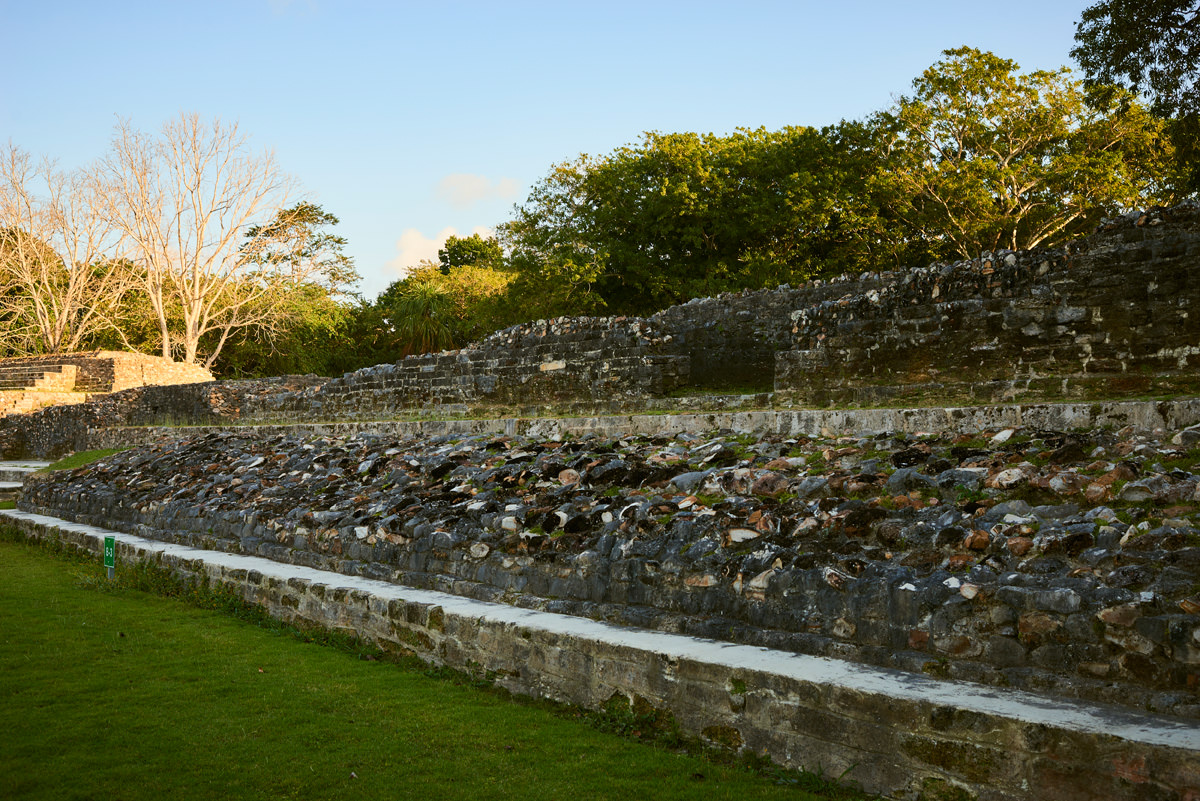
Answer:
x=412 y=121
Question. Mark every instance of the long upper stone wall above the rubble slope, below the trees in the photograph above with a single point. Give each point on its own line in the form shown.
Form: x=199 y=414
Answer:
x=1115 y=315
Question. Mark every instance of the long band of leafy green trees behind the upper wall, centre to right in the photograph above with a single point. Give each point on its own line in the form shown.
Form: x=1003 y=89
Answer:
x=980 y=156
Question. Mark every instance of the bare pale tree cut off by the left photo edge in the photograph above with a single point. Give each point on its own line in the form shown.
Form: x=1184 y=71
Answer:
x=61 y=275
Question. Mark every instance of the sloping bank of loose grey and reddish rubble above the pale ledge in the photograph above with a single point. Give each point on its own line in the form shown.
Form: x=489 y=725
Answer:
x=1059 y=562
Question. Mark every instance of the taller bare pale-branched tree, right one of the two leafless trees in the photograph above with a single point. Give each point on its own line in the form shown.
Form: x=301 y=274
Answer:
x=185 y=201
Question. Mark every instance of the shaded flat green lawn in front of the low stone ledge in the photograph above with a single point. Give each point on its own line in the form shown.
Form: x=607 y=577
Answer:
x=113 y=690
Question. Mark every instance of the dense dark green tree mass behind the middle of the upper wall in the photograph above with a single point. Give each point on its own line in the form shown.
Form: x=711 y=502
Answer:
x=677 y=216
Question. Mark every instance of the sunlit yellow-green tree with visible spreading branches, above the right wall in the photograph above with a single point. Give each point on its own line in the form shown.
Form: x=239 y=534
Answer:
x=982 y=156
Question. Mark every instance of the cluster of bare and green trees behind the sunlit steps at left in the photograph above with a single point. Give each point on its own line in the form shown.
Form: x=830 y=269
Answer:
x=177 y=243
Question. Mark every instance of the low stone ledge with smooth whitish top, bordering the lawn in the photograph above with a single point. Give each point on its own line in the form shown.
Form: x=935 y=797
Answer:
x=908 y=737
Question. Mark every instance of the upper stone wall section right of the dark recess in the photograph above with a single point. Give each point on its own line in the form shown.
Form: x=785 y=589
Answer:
x=1118 y=314
